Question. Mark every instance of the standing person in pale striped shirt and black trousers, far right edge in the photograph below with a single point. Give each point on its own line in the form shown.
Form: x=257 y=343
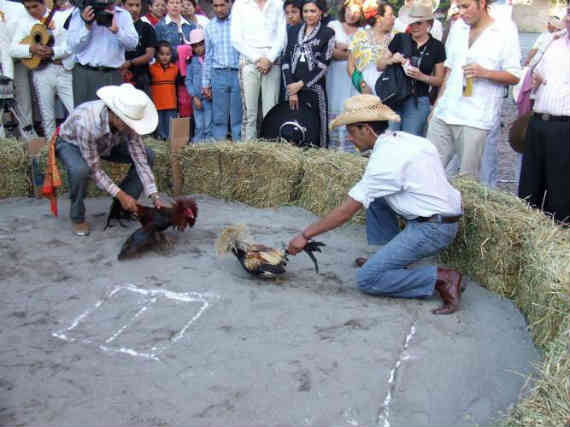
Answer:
x=545 y=178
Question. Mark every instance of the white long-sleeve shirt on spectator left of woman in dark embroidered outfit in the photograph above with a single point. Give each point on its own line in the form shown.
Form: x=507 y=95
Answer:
x=256 y=32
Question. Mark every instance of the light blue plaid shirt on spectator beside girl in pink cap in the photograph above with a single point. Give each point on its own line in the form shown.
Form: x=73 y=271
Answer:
x=219 y=50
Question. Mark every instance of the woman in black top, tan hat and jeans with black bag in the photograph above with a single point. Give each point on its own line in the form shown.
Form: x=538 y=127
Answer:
x=424 y=68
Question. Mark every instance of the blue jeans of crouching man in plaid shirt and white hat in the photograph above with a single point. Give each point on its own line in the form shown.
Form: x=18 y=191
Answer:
x=78 y=173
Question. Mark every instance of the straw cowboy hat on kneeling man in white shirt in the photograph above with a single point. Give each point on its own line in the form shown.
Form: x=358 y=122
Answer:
x=363 y=108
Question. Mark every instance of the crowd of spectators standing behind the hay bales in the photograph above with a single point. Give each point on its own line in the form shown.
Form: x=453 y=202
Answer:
x=228 y=71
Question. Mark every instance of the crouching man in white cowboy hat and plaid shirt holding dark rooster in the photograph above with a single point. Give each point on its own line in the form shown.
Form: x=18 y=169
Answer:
x=109 y=129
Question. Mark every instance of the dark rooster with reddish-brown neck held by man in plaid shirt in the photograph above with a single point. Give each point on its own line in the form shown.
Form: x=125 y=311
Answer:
x=154 y=221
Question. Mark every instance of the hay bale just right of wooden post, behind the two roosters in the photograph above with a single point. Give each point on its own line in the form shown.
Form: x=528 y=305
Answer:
x=261 y=174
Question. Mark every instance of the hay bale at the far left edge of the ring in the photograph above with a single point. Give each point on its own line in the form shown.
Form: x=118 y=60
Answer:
x=14 y=174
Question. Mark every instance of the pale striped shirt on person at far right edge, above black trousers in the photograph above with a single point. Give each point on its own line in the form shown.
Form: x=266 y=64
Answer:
x=553 y=96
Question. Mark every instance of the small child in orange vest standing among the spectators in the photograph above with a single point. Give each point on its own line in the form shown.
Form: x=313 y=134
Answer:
x=163 y=75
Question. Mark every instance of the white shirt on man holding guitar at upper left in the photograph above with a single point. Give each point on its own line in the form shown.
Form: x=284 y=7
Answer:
x=60 y=49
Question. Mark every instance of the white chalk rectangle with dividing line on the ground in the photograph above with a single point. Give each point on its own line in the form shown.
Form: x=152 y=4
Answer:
x=154 y=295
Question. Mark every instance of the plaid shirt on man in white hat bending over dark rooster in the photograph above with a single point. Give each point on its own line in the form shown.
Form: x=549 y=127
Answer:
x=88 y=128
